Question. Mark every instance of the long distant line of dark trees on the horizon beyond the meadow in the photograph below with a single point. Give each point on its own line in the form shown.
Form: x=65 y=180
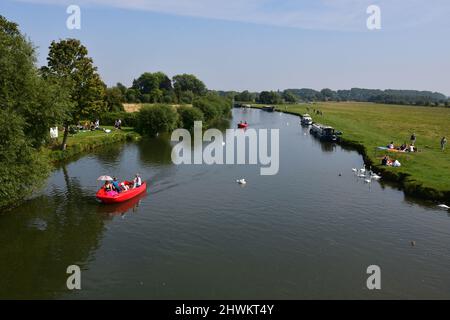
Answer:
x=389 y=96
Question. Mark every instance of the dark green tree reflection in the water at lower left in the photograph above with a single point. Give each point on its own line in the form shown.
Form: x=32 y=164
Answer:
x=43 y=237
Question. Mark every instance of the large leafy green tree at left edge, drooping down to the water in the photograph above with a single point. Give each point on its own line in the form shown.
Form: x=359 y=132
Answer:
x=29 y=105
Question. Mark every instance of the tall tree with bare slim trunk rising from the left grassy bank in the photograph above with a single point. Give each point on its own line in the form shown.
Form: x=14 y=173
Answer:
x=69 y=64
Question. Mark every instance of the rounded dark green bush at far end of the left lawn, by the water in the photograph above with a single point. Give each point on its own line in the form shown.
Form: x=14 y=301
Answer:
x=157 y=118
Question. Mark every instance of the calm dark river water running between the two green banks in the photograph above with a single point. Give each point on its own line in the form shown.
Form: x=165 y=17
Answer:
x=308 y=232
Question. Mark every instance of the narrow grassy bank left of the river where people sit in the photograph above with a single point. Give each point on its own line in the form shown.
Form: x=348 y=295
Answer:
x=89 y=140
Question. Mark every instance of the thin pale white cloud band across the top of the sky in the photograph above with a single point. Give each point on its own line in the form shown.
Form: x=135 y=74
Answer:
x=312 y=14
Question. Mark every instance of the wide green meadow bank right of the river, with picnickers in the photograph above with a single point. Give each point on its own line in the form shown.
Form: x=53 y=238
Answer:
x=365 y=126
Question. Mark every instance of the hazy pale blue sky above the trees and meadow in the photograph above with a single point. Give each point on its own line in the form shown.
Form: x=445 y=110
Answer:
x=254 y=44
